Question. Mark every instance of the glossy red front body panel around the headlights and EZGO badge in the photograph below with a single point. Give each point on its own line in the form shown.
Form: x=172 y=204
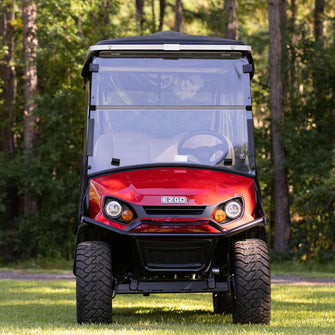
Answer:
x=146 y=187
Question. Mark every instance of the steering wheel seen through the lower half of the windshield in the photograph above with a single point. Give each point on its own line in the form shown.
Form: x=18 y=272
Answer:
x=204 y=154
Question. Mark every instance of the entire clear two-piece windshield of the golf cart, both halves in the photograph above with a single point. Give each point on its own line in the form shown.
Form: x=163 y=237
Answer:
x=190 y=111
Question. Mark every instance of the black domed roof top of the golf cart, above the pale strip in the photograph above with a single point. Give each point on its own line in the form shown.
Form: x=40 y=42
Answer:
x=170 y=37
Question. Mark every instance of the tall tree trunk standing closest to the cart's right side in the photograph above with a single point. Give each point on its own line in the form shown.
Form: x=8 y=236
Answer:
x=282 y=216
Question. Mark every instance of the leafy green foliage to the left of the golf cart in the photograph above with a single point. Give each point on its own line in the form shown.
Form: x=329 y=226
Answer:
x=52 y=172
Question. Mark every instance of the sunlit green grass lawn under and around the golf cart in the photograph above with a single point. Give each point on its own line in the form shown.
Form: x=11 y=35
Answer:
x=32 y=307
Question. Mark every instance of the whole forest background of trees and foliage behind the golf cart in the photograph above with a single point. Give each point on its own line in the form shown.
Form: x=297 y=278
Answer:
x=42 y=50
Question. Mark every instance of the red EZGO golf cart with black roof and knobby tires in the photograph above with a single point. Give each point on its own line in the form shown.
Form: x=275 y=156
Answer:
x=169 y=200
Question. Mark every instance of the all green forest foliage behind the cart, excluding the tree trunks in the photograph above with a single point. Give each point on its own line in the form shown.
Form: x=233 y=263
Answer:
x=67 y=27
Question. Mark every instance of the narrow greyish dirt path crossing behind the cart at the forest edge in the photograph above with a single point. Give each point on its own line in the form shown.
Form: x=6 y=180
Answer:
x=275 y=279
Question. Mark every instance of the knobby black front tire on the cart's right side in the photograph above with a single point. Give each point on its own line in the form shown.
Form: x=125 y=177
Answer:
x=252 y=303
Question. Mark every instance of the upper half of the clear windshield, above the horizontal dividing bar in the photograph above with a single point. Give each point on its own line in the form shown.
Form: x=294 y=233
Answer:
x=157 y=81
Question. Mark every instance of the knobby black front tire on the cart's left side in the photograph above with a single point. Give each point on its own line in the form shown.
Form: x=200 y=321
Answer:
x=94 y=282
